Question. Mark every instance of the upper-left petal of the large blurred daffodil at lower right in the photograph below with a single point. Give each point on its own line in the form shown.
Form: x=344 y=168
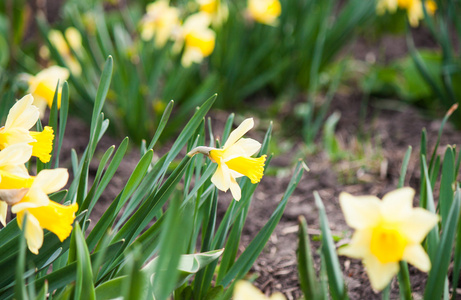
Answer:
x=360 y=212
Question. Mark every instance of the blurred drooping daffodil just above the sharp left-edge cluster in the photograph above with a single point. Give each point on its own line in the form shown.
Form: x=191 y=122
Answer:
x=43 y=85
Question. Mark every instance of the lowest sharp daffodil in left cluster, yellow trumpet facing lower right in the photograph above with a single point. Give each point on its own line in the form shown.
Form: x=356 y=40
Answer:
x=42 y=213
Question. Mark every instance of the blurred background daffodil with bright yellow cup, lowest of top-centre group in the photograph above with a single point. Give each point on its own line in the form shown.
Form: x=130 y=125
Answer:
x=199 y=39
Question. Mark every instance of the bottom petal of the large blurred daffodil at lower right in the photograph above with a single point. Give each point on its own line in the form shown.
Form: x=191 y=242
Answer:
x=380 y=274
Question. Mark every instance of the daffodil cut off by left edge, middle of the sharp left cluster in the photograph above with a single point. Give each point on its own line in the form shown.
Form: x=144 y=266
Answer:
x=14 y=178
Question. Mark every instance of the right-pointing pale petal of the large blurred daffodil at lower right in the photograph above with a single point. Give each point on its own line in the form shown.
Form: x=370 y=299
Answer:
x=418 y=224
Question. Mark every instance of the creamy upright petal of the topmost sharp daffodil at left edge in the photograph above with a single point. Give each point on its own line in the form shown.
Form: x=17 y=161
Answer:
x=23 y=114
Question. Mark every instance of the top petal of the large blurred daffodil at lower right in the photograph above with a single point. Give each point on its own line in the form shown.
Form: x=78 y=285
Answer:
x=397 y=205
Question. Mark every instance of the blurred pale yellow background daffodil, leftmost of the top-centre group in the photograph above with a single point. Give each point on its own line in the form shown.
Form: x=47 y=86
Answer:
x=159 y=22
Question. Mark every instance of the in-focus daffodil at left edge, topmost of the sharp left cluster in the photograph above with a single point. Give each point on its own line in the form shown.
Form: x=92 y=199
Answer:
x=21 y=117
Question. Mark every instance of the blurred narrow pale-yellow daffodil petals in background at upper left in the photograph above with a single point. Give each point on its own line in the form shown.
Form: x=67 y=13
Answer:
x=58 y=41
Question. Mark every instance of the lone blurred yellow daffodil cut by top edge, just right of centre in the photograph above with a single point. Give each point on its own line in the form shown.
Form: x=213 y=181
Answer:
x=265 y=11
